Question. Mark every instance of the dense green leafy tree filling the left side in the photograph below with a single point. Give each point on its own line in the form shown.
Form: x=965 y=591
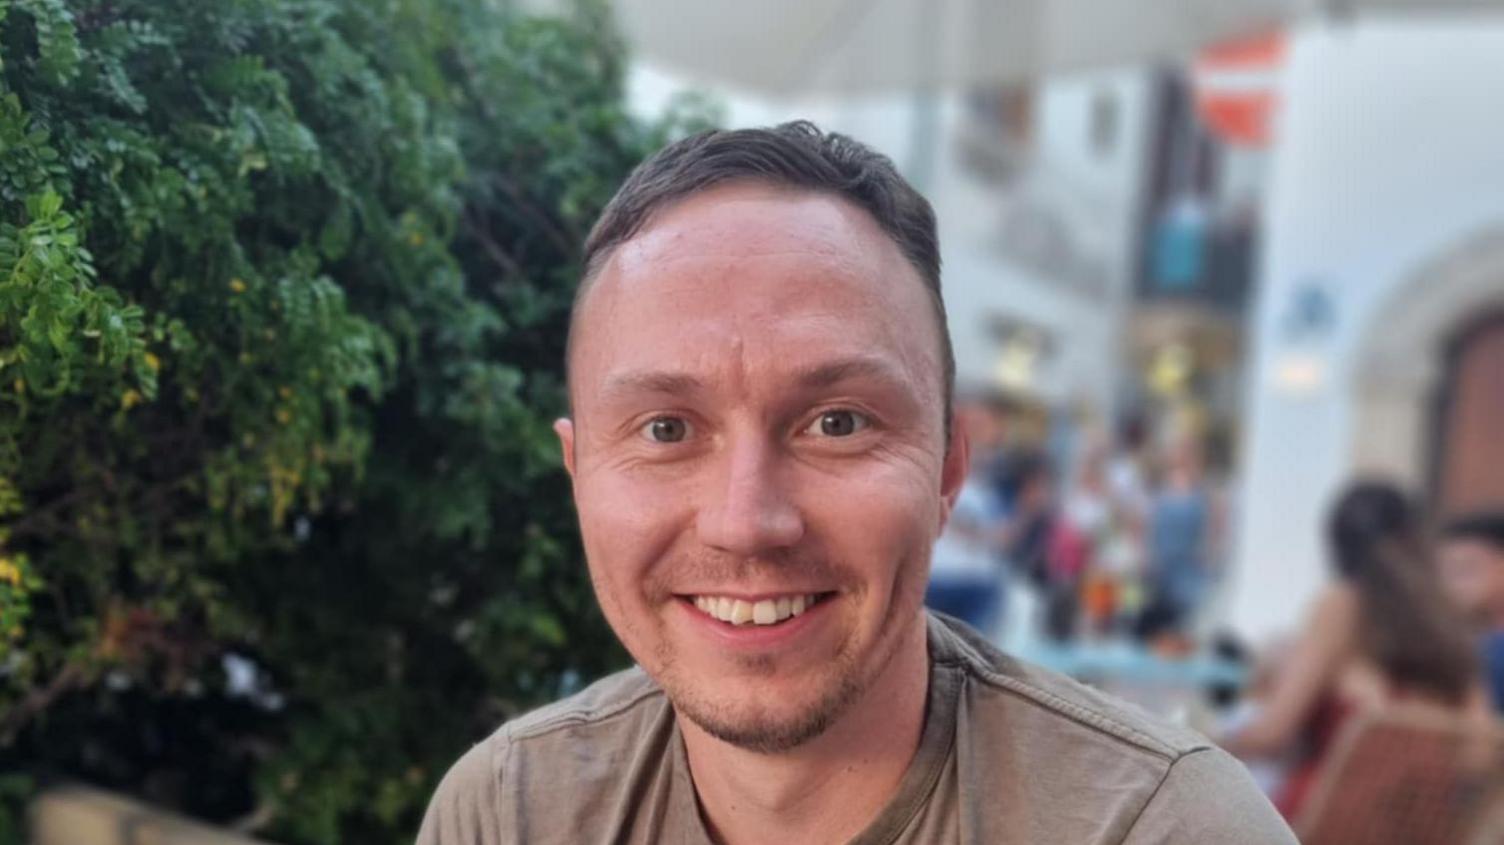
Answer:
x=284 y=289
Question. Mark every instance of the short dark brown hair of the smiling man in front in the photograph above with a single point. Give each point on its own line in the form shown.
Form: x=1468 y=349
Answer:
x=792 y=156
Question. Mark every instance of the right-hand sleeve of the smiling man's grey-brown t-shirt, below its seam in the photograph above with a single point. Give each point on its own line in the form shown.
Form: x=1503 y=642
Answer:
x=1208 y=798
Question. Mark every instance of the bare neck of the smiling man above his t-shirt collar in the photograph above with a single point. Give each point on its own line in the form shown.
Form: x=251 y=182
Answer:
x=832 y=787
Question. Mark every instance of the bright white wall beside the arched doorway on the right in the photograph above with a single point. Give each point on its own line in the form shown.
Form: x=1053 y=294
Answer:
x=1389 y=159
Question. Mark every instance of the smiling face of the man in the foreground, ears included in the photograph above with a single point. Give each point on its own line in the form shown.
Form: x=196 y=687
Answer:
x=757 y=396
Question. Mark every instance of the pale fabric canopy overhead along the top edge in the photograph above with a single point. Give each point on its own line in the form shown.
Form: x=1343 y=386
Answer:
x=867 y=46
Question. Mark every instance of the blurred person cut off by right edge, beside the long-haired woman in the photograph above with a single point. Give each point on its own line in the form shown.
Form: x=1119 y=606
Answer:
x=1472 y=560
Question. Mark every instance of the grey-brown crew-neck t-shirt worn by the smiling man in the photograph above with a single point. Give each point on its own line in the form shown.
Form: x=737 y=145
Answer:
x=1008 y=754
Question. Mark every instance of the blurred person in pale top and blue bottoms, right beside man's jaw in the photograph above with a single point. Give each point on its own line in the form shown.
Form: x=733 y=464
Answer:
x=966 y=578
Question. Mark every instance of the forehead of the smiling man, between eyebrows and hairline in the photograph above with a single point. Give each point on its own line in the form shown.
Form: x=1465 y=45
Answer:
x=763 y=276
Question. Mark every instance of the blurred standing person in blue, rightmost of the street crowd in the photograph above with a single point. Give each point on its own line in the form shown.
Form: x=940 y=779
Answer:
x=1184 y=527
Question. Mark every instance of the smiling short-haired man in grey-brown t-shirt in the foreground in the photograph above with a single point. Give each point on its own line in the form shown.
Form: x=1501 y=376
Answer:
x=763 y=456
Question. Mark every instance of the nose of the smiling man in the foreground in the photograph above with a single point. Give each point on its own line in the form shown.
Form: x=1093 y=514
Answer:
x=748 y=509
